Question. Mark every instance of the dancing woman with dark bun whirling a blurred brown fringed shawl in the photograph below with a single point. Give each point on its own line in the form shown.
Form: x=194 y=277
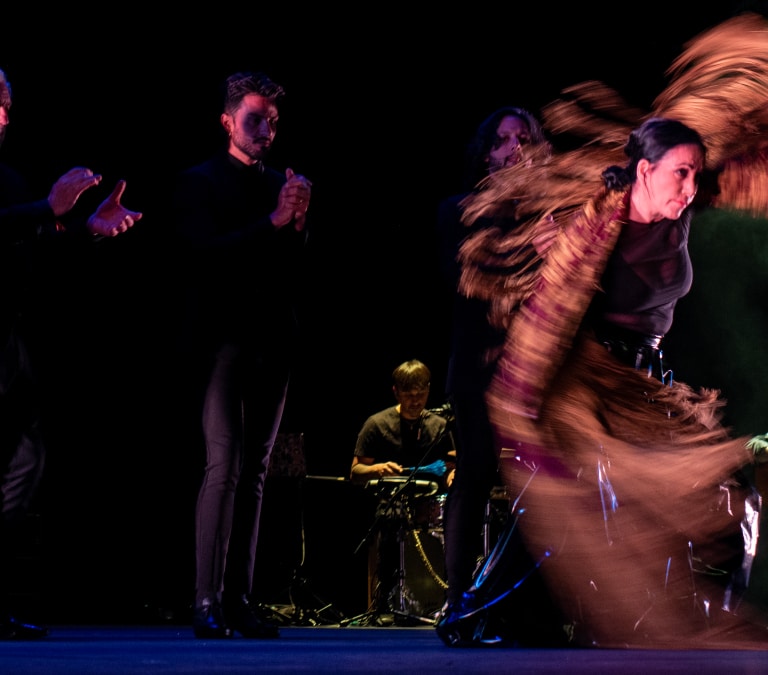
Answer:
x=630 y=501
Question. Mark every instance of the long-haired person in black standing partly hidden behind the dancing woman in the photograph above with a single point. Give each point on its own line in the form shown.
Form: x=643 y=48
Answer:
x=503 y=139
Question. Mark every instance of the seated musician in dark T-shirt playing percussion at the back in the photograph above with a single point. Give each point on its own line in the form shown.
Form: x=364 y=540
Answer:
x=404 y=442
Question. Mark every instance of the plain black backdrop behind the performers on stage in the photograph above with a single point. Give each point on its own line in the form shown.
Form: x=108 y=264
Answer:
x=381 y=102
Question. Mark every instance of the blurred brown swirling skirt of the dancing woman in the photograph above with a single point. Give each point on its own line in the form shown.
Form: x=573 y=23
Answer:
x=627 y=492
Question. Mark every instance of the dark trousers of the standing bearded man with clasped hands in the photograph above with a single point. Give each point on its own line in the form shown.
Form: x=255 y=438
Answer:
x=243 y=404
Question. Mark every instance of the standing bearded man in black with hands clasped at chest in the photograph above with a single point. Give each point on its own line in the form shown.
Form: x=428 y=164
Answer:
x=242 y=228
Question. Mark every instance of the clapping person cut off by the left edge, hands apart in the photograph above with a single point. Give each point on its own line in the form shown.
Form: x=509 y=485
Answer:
x=28 y=225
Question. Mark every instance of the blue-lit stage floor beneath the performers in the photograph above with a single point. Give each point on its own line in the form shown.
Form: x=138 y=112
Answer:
x=113 y=650
